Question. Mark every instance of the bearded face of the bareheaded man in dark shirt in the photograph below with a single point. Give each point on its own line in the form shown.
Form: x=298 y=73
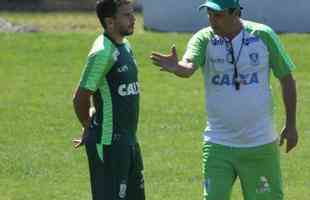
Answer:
x=124 y=20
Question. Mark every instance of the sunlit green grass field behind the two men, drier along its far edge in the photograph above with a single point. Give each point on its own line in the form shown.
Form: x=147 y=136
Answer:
x=38 y=73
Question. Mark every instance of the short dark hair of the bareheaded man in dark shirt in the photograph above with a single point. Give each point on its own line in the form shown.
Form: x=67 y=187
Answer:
x=108 y=8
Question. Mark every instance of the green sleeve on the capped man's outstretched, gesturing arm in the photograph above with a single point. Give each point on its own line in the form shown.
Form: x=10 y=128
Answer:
x=197 y=46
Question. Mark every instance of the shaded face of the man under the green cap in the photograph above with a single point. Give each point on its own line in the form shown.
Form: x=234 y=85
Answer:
x=220 y=21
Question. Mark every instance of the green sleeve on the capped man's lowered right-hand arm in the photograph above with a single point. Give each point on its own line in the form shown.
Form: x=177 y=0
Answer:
x=280 y=62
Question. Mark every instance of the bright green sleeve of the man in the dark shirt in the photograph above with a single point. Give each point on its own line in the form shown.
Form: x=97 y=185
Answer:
x=100 y=60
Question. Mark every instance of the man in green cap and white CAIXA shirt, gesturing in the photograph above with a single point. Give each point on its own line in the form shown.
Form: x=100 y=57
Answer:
x=236 y=58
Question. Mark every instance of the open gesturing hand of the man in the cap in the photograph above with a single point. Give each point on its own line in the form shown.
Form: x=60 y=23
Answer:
x=166 y=62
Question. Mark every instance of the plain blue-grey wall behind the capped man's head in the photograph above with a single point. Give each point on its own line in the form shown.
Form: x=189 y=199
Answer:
x=183 y=15
